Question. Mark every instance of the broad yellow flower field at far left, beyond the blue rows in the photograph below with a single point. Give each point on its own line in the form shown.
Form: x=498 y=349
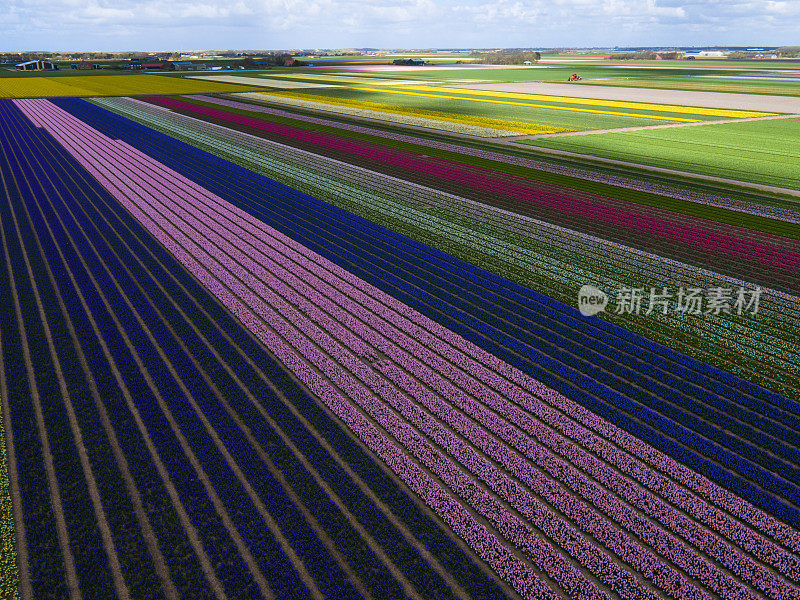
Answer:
x=110 y=85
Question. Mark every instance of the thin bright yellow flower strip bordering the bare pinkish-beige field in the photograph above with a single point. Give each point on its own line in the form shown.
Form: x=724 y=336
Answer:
x=689 y=110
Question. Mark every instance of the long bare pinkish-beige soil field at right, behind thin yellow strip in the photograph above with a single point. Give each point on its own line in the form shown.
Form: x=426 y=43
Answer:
x=783 y=104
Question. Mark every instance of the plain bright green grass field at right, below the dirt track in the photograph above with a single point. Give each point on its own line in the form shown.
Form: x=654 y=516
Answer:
x=765 y=152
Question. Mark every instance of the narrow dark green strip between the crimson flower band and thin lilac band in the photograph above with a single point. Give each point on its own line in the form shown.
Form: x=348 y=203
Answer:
x=712 y=213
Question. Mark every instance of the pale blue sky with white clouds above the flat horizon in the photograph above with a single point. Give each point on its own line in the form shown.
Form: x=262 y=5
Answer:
x=283 y=24
